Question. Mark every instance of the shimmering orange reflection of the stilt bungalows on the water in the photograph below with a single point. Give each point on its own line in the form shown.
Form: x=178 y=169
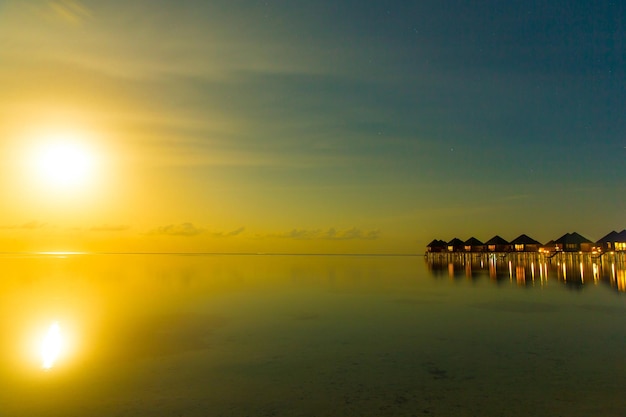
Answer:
x=572 y=269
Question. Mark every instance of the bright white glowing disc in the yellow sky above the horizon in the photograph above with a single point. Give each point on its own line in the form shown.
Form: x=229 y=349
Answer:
x=63 y=162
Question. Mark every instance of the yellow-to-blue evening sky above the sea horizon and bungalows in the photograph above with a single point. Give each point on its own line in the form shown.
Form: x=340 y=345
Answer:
x=310 y=126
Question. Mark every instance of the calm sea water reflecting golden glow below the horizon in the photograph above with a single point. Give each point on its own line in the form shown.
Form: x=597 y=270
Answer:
x=230 y=335
